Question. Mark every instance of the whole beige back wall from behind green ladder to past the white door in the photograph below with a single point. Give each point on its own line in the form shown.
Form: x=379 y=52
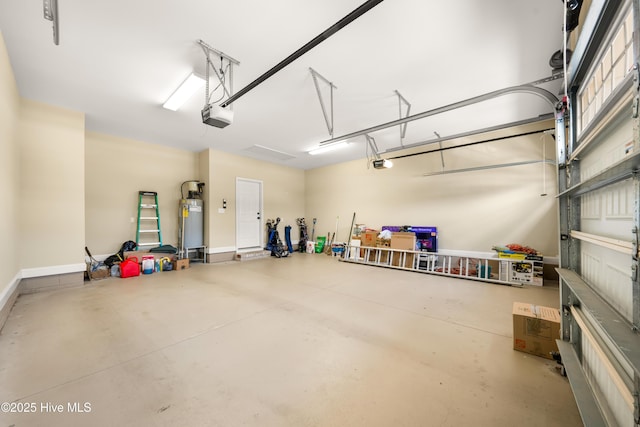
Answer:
x=117 y=168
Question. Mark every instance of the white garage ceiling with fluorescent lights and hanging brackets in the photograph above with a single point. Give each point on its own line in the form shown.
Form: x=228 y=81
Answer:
x=118 y=61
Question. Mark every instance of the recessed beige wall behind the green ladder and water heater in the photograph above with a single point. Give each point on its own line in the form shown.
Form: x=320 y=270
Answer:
x=116 y=169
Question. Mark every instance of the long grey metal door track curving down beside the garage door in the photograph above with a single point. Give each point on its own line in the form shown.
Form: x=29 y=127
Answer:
x=542 y=93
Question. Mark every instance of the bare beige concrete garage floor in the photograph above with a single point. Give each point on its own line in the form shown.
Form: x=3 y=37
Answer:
x=302 y=341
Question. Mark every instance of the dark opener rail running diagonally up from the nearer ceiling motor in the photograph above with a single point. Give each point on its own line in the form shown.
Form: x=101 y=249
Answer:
x=355 y=14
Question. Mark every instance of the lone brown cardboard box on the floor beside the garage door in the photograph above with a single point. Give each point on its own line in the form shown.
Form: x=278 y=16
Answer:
x=535 y=329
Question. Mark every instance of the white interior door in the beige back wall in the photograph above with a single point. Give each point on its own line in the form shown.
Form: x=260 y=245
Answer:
x=248 y=213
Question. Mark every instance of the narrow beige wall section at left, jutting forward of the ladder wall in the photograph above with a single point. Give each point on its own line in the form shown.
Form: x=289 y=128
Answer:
x=51 y=188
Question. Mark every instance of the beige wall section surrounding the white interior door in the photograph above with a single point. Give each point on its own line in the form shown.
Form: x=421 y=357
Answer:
x=283 y=195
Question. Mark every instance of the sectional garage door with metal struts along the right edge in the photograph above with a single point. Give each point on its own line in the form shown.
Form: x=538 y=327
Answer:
x=599 y=218
